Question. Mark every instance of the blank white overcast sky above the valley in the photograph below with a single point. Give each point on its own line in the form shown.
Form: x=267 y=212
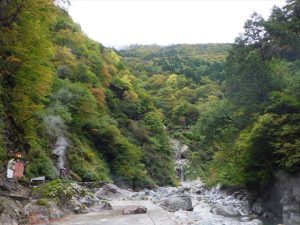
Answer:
x=122 y=22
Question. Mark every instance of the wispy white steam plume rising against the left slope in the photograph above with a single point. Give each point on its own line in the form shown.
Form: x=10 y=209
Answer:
x=56 y=130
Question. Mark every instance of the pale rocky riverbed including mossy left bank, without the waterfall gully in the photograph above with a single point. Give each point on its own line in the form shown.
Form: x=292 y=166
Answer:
x=190 y=203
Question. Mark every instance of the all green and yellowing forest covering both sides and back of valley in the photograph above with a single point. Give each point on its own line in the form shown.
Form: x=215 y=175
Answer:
x=68 y=101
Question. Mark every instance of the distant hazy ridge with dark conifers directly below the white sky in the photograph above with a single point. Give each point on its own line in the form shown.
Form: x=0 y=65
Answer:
x=194 y=60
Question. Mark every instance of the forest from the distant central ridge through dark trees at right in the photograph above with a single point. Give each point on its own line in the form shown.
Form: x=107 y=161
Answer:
x=240 y=116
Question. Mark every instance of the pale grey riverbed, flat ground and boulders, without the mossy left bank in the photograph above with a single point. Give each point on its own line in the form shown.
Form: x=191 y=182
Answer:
x=190 y=203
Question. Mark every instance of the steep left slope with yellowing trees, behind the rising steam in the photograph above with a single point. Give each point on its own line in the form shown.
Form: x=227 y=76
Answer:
x=68 y=102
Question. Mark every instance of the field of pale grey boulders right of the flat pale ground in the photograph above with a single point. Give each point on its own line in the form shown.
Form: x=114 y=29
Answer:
x=192 y=203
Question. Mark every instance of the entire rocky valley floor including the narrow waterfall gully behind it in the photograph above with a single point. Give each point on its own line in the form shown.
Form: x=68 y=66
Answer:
x=65 y=203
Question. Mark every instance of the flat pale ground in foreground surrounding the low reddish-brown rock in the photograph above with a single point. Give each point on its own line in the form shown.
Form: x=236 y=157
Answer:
x=154 y=216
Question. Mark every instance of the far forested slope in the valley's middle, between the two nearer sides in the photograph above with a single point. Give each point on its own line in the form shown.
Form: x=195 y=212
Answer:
x=185 y=82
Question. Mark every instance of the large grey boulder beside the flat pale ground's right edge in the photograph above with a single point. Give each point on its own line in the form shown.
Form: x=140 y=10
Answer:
x=177 y=201
